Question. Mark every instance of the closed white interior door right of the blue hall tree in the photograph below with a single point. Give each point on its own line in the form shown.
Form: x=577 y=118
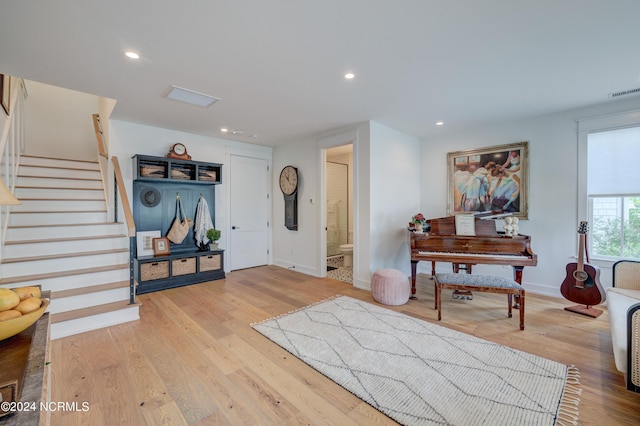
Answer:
x=249 y=202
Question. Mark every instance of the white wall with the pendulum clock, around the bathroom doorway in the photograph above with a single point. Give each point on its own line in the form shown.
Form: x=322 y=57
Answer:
x=386 y=194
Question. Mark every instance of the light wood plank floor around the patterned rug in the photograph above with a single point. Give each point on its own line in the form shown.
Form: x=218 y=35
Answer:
x=194 y=359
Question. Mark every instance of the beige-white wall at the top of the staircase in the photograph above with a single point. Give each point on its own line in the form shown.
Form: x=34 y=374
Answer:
x=58 y=122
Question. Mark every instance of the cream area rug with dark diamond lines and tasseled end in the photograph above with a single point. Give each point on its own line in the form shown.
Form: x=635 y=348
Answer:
x=420 y=373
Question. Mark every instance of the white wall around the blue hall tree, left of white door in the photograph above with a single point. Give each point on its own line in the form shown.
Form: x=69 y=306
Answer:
x=128 y=139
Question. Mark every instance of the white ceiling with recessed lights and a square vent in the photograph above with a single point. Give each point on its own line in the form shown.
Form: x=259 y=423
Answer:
x=278 y=65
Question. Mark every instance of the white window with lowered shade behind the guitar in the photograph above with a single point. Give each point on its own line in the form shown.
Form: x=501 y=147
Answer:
x=613 y=192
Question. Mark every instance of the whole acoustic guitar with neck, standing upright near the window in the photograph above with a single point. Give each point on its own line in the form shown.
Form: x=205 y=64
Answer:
x=582 y=283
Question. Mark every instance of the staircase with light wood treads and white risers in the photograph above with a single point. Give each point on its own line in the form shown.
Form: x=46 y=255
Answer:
x=59 y=238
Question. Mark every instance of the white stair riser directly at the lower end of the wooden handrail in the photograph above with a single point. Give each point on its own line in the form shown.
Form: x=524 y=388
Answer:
x=13 y=251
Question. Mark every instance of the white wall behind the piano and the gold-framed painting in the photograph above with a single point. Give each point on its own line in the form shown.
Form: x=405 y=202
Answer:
x=553 y=184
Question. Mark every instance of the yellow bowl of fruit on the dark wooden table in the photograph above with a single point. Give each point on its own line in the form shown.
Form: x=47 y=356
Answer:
x=19 y=309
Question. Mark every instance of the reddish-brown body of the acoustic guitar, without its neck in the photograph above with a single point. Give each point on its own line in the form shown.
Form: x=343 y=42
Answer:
x=588 y=292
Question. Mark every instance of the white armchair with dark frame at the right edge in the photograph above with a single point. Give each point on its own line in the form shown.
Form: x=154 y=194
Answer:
x=623 y=304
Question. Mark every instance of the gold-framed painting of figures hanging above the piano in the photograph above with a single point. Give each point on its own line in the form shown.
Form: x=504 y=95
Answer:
x=493 y=179
